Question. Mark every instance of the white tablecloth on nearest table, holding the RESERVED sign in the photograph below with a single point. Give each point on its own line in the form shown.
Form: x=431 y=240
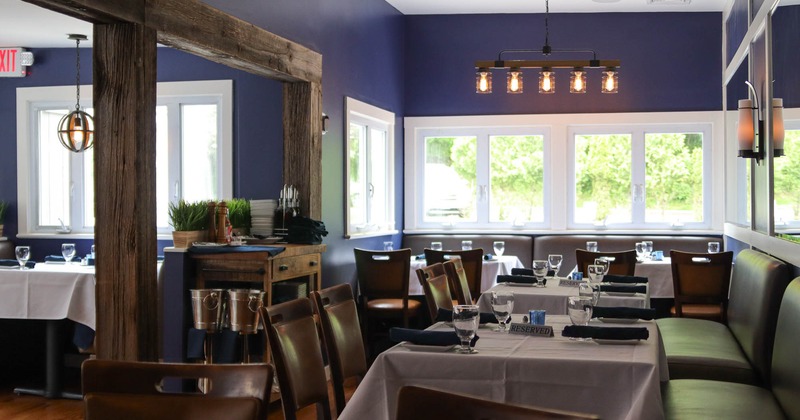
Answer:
x=615 y=381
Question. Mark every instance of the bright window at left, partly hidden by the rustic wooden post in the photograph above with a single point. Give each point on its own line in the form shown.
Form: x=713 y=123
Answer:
x=193 y=143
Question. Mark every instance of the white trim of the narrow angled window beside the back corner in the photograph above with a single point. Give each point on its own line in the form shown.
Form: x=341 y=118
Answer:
x=357 y=110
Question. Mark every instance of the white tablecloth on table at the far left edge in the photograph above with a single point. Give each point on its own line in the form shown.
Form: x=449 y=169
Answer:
x=49 y=291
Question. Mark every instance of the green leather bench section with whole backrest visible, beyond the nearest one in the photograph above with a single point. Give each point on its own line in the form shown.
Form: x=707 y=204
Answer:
x=742 y=350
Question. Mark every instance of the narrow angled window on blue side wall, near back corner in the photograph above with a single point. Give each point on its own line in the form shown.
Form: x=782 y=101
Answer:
x=370 y=170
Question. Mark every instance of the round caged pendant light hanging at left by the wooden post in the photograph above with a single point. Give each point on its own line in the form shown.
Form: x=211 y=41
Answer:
x=76 y=129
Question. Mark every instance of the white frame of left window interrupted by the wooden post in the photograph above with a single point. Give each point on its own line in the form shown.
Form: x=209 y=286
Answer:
x=31 y=99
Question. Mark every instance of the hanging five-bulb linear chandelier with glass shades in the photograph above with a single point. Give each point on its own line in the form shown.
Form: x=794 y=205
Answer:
x=483 y=77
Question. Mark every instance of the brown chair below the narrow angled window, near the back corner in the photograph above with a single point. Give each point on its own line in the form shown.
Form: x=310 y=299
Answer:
x=383 y=278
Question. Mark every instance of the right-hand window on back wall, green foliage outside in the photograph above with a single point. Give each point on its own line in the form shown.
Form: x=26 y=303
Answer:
x=641 y=176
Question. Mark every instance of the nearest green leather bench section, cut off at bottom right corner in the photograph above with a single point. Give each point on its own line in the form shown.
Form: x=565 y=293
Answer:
x=688 y=399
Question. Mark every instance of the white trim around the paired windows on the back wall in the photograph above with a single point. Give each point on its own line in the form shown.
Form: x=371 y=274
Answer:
x=559 y=125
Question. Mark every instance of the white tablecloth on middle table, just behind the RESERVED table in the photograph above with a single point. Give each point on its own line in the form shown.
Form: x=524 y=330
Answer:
x=553 y=298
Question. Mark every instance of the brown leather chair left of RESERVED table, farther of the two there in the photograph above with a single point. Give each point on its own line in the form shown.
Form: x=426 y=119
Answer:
x=341 y=331
